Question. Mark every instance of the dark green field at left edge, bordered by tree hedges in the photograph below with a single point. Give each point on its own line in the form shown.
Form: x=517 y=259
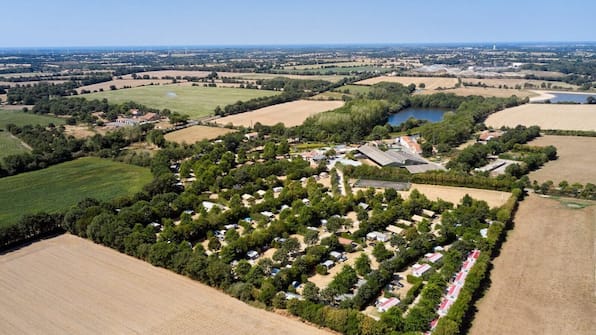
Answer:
x=61 y=186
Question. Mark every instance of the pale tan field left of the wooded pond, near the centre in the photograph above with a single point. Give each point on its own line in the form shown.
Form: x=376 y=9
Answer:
x=290 y=113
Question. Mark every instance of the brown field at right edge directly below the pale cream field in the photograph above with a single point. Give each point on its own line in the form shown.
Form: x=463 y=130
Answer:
x=575 y=163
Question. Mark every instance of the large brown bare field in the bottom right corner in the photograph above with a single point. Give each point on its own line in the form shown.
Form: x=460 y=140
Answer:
x=543 y=281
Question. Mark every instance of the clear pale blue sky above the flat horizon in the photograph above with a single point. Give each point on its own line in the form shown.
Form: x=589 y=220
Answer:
x=85 y=23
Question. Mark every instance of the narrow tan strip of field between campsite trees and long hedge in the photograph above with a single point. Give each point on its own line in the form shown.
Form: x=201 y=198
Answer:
x=455 y=194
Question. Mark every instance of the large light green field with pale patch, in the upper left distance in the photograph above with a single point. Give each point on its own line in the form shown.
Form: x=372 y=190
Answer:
x=196 y=101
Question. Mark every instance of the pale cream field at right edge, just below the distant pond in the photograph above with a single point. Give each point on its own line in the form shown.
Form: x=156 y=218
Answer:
x=547 y=116
